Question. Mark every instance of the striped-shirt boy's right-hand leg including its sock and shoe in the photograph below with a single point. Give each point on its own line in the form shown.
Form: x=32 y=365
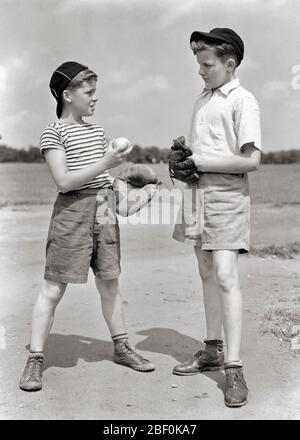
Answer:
x=112 y=309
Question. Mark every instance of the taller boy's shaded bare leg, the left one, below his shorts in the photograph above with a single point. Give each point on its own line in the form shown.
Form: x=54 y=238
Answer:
x=211 y=298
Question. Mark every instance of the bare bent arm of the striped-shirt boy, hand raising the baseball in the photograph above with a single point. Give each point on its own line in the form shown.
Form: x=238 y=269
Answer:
x=66 y=180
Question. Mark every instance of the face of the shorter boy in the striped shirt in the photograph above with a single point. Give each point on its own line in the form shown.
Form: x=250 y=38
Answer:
x=83 y=99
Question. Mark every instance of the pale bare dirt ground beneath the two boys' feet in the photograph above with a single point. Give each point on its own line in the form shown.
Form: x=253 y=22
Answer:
x=165 y=319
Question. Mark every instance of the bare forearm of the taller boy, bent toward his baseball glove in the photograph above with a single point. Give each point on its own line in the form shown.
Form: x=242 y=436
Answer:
x=248 y=161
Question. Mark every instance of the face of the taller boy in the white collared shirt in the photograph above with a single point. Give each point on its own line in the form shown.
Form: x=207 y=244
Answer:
x=213 y=70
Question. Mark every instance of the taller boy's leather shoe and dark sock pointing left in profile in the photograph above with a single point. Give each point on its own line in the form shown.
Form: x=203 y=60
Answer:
x=210 y=359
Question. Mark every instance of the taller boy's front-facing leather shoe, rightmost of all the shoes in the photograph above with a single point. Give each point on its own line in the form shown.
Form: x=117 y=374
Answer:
x=236 y=390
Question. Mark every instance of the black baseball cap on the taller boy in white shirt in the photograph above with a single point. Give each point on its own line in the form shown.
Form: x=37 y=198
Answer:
x=223 y=35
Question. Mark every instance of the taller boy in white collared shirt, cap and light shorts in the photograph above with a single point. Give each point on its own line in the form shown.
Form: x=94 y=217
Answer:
x=226 y=144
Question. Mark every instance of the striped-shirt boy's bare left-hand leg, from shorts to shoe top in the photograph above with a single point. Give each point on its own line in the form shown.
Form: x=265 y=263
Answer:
x=43 y=313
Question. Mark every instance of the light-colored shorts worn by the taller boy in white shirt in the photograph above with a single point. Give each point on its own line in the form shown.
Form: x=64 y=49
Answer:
x=215 y=213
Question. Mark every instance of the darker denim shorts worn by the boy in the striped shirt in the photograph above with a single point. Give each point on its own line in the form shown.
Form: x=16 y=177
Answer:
x=83 y=232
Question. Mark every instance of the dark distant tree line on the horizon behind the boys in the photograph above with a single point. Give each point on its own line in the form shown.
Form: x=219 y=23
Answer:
x=139 y=154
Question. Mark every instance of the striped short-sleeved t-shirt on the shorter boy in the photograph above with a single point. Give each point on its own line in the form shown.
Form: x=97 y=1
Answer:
x=83 y=145
